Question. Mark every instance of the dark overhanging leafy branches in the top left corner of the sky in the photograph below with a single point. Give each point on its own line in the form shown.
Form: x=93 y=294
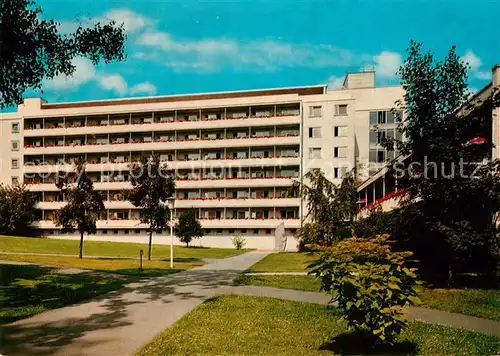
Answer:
x=33 y=49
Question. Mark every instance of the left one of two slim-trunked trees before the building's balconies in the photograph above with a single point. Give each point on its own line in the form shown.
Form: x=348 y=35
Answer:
x=83 y=204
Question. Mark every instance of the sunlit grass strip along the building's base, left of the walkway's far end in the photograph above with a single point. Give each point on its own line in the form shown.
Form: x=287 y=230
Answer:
x=111 y=249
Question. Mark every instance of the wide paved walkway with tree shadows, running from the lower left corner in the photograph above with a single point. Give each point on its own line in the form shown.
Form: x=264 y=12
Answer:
x=120 y=322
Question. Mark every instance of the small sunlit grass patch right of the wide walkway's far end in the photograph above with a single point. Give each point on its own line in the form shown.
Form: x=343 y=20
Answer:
x=283 y=262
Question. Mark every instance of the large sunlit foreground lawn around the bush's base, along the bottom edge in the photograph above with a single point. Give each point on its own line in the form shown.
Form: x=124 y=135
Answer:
x=242 y=325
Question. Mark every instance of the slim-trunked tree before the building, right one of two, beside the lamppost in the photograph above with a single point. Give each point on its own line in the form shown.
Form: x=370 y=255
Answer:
x=152 y=186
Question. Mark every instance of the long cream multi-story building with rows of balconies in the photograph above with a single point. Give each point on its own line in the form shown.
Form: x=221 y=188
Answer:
x=235 y=154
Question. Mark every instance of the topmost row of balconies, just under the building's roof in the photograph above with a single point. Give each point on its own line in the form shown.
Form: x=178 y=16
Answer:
x=163 y=117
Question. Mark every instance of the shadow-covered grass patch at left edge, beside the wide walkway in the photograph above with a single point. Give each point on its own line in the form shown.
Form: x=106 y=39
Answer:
x=29 y=290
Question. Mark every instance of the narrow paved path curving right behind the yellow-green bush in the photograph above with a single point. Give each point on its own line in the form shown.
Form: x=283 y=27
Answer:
x=485 y=326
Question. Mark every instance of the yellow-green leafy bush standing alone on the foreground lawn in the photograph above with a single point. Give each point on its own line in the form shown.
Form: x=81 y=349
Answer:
x=370 y=284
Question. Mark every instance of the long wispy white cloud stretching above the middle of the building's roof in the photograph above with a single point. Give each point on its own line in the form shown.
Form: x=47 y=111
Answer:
x=215 y=54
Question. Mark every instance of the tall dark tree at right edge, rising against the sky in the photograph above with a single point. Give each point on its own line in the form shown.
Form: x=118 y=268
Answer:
x=458 y=205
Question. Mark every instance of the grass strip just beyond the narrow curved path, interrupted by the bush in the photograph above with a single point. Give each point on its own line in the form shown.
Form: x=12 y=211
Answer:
x=475 y=302
